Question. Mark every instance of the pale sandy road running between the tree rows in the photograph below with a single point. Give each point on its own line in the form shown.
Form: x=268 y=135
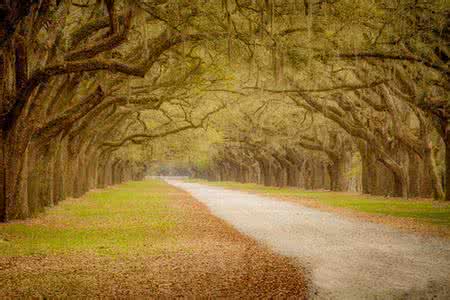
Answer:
x=346 y=258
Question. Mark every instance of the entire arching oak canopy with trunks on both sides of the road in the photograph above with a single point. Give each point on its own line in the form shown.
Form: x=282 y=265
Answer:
x=333 y=94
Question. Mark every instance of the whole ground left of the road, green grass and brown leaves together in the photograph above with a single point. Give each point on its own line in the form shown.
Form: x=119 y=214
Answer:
x=140 y=239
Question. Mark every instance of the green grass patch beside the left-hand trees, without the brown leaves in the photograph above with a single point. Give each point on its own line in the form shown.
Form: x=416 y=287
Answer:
x=132 y=217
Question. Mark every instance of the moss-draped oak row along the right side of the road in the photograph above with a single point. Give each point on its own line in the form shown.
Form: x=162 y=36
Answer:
x=360 y=92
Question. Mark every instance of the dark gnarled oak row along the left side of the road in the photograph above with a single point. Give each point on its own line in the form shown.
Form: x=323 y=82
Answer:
x=84 y=85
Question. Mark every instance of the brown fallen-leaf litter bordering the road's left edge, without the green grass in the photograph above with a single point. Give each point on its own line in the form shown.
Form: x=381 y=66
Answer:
x=206 y=259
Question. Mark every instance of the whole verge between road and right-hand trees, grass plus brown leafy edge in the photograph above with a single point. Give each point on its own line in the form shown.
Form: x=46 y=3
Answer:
x=422 y=216
